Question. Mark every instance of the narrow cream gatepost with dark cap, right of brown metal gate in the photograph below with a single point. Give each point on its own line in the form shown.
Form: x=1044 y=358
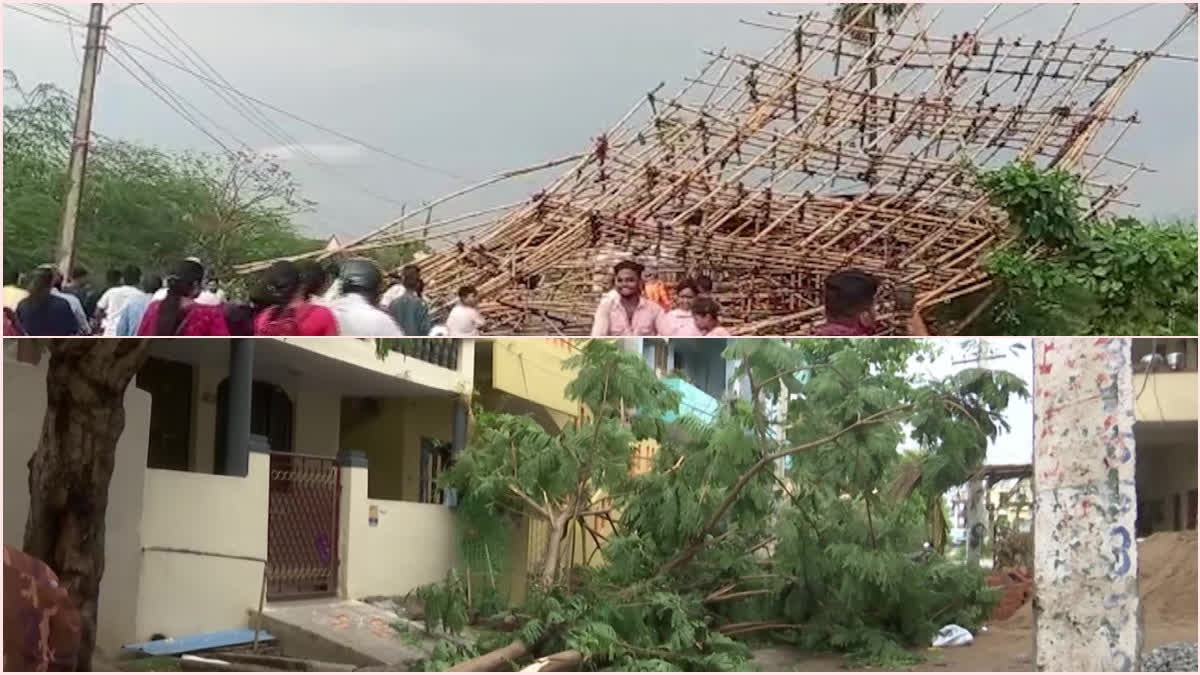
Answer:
x=355 y=524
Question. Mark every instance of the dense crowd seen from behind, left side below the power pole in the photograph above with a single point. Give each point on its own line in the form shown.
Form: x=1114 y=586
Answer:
x=292 y=298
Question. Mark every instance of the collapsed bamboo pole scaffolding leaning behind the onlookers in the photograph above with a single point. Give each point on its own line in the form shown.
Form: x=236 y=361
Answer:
x=838 y=148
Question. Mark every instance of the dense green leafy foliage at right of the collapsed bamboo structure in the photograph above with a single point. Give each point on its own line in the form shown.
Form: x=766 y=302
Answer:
x=1095 y=276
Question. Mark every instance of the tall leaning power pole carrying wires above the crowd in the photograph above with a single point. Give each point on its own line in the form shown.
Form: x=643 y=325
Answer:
x=81 y=141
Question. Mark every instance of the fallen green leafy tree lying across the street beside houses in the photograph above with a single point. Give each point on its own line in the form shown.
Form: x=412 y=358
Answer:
x=752 y=524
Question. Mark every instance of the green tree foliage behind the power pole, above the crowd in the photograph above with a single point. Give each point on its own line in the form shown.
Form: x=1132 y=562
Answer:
x=141 y=205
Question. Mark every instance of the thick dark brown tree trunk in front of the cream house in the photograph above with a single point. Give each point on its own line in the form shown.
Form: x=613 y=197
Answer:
x=73 y=467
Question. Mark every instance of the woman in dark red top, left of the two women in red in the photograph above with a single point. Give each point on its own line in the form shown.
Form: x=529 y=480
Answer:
x=179 y=314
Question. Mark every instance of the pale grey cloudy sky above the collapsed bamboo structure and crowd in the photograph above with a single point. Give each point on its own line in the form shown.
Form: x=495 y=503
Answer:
x=464 y=92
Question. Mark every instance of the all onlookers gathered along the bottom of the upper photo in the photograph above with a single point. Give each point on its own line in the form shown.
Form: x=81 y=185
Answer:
x=358 y=300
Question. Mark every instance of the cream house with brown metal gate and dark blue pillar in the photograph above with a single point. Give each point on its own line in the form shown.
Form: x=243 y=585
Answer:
x=303 y=467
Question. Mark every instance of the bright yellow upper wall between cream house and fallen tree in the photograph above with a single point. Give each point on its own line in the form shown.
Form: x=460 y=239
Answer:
x=532 y=369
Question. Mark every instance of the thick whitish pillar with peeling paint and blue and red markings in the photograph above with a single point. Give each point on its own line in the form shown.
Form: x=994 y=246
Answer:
x=1088 y=613
